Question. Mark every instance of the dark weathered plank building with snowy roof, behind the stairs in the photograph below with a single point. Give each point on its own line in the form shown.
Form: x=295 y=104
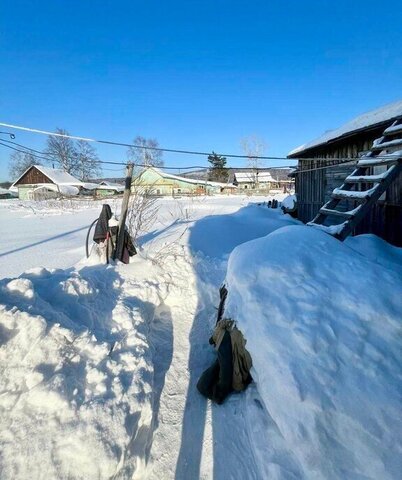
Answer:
x=316 y=179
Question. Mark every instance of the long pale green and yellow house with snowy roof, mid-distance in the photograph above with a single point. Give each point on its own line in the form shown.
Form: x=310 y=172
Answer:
x=161 y=183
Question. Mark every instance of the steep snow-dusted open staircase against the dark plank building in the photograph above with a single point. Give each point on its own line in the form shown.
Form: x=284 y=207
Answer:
x=363 y=186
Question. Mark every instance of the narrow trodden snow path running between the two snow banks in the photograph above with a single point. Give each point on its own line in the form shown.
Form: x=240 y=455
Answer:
x=193 y=438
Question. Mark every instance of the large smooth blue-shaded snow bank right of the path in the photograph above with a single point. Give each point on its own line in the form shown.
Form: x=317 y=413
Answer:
x=322 y=324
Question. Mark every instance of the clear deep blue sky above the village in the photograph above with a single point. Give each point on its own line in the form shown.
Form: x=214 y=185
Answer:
x=195 y=74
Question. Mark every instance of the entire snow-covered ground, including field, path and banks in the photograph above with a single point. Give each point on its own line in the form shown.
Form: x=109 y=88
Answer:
x=98 y=364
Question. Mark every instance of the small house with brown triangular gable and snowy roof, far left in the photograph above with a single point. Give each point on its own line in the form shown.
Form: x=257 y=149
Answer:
x=39 y=182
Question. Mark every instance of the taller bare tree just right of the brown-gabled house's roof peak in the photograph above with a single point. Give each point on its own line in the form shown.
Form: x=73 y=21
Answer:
x=64 y=152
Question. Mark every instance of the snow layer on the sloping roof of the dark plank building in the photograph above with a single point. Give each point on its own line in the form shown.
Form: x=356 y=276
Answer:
x=368 y=119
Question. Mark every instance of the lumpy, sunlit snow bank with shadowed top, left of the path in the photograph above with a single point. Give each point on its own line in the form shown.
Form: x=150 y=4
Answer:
x=76 y=374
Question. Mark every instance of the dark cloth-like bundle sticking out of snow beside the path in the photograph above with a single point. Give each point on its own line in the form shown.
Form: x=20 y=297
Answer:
x=231 y=371
